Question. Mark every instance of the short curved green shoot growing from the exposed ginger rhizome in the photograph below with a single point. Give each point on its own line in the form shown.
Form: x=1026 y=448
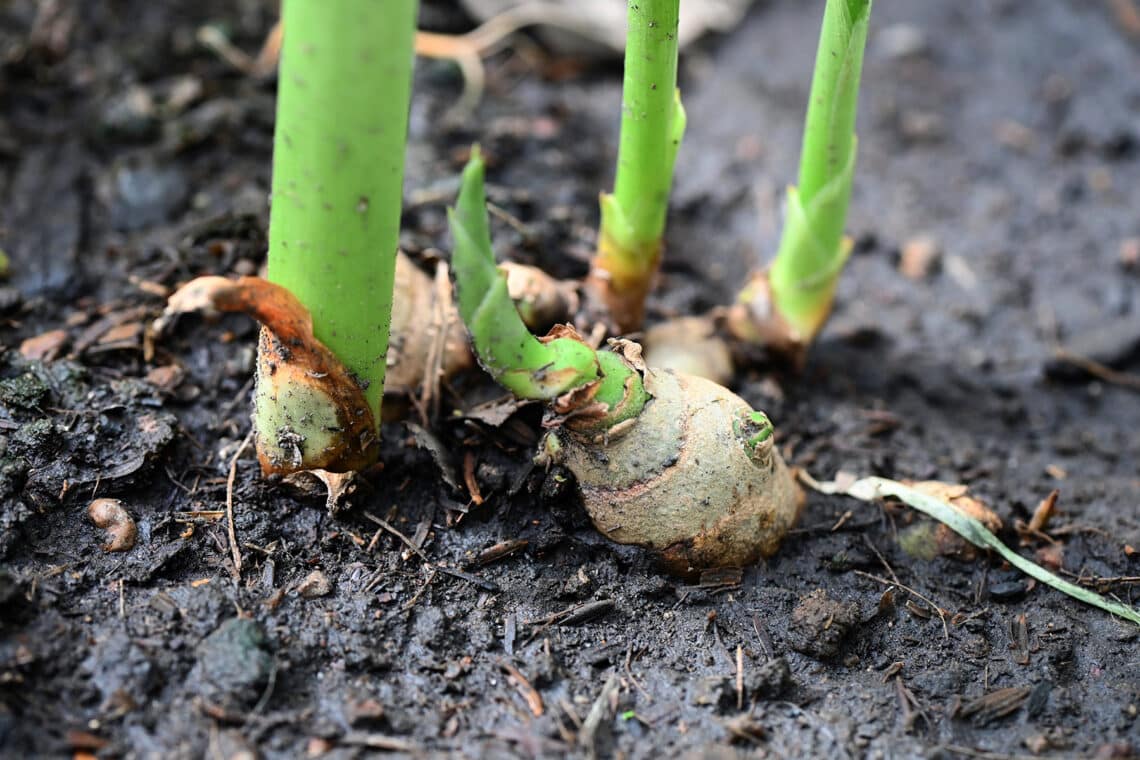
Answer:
x=530 y=367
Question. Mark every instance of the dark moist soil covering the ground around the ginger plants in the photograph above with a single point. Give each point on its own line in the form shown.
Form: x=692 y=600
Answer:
x=132 y=160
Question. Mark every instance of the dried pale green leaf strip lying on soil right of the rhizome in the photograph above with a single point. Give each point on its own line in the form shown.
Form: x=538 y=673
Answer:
x=973 y=530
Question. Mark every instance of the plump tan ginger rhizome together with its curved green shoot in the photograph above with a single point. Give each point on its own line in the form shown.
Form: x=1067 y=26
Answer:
x=665 y=461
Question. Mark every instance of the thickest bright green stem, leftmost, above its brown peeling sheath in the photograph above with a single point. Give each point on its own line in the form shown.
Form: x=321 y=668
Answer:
x=343 y=115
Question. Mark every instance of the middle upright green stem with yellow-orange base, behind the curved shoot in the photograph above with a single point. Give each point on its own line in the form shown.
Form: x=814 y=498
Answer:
x=630 y=242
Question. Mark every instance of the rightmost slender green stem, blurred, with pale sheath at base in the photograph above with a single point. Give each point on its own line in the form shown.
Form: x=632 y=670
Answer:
x=813 y=251
